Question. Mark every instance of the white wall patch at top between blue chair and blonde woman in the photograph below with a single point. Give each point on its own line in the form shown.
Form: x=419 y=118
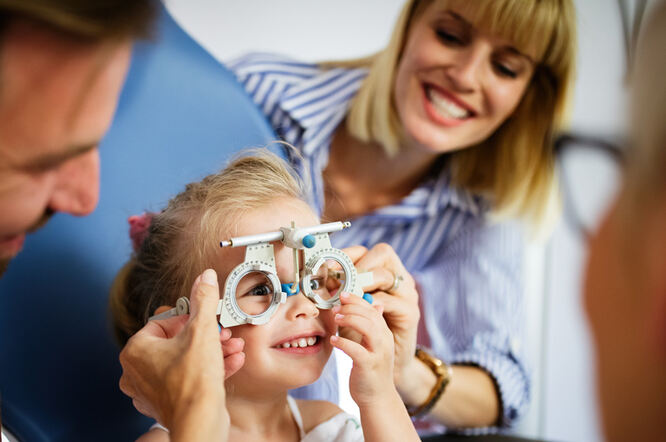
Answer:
x=308 y=30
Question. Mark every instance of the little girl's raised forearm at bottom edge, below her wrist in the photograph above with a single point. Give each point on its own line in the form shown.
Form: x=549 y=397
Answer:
x=387 y=420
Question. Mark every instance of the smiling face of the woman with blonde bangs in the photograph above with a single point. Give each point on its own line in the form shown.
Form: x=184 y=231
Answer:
x=455 y=83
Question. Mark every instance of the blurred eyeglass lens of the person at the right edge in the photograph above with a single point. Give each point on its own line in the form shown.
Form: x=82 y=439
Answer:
x=590 y=174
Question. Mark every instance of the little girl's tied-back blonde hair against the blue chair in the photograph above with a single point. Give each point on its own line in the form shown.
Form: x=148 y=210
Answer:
x=183 y=239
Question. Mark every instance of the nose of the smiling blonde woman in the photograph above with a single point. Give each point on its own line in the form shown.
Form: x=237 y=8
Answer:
x=466 y=71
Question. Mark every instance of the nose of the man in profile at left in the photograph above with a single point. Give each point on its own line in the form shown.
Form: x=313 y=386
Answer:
x=77 y=185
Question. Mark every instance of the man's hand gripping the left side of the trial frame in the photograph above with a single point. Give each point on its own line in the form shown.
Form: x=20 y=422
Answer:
x=174 y=369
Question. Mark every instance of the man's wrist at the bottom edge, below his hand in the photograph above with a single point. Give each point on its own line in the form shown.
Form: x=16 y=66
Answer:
x=200 y=419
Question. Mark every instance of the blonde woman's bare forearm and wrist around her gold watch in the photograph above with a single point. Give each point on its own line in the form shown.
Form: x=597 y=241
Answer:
x=469 y=400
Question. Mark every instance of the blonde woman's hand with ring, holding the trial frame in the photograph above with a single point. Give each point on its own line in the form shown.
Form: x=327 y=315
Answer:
x=400 y=304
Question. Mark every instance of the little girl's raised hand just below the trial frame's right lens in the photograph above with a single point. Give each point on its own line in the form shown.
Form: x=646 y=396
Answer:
x=372 y=356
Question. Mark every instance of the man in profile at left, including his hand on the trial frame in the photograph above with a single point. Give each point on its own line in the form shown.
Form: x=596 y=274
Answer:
x=62 y=66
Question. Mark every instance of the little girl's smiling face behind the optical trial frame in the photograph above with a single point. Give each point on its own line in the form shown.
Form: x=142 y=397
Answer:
x=270 y=365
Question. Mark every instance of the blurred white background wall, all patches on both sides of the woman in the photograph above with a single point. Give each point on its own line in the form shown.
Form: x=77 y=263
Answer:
x=564 y=400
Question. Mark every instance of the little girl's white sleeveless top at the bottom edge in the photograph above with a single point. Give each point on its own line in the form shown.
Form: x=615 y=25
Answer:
x=342 y=427
